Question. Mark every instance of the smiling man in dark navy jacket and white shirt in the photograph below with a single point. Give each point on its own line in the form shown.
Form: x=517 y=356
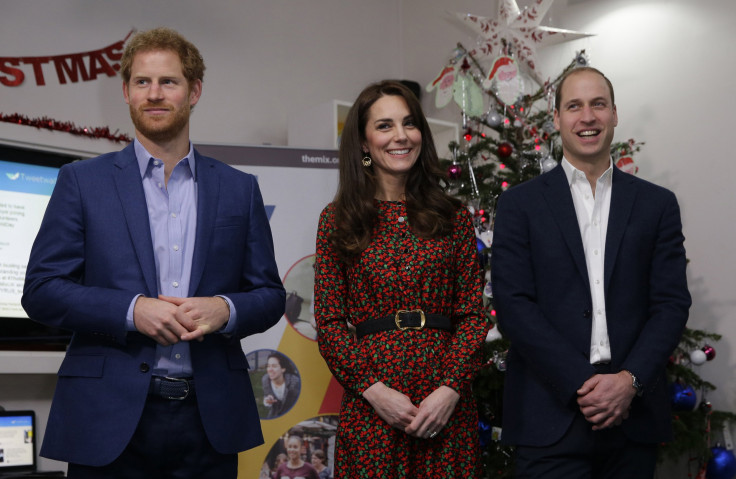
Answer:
x=589 y=282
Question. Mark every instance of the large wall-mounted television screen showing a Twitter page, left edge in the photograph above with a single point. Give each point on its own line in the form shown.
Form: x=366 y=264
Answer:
x=27 y=178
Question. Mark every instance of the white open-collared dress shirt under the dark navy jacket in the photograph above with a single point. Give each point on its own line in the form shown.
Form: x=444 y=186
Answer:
x=592 y=212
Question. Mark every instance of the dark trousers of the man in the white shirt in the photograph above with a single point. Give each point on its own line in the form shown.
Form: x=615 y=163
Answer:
x=586 y=454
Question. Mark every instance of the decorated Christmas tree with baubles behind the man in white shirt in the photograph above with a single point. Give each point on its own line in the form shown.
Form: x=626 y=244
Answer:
x=509 y=137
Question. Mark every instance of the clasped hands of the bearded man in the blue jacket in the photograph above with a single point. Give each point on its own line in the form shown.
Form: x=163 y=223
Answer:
x=168 y=320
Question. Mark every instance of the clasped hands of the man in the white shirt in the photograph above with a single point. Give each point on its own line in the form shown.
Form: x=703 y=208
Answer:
x=605 y=399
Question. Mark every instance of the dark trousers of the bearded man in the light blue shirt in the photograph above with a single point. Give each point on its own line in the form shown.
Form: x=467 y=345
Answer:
x=169 y=443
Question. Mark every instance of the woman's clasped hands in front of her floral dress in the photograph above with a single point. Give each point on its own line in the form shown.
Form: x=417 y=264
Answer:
x=398 y=411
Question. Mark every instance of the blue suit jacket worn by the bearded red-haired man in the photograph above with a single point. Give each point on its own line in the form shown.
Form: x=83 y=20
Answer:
x=94 y=253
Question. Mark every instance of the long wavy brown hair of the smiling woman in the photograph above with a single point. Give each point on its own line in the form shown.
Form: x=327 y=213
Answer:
x=431 y=211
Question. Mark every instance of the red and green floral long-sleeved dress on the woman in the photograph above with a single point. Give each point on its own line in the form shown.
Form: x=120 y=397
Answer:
x=401 y=271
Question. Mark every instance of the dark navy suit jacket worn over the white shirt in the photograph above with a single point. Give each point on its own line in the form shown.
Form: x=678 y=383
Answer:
x=543 y=301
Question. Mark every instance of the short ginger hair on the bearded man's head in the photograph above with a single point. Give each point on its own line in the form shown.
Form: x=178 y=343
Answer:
x=163 y=38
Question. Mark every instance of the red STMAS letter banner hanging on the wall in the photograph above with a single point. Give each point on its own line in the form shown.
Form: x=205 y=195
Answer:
x=70 y=68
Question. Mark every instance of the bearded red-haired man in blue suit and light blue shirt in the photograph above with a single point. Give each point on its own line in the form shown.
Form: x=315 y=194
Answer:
x=159 y=260
